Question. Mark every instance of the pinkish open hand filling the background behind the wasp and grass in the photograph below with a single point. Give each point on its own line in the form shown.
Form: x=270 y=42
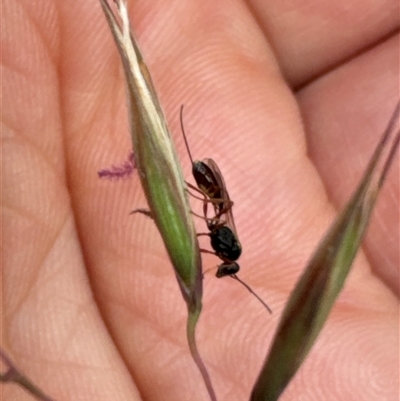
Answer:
x=289 y=98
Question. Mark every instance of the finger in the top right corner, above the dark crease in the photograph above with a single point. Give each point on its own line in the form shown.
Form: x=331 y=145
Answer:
x=312 y=37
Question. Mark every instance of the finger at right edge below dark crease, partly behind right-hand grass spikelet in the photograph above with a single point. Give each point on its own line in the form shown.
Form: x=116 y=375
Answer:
x=346 y=112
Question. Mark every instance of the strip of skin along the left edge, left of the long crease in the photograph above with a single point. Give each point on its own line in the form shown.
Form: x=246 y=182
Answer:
x=51 y=327
